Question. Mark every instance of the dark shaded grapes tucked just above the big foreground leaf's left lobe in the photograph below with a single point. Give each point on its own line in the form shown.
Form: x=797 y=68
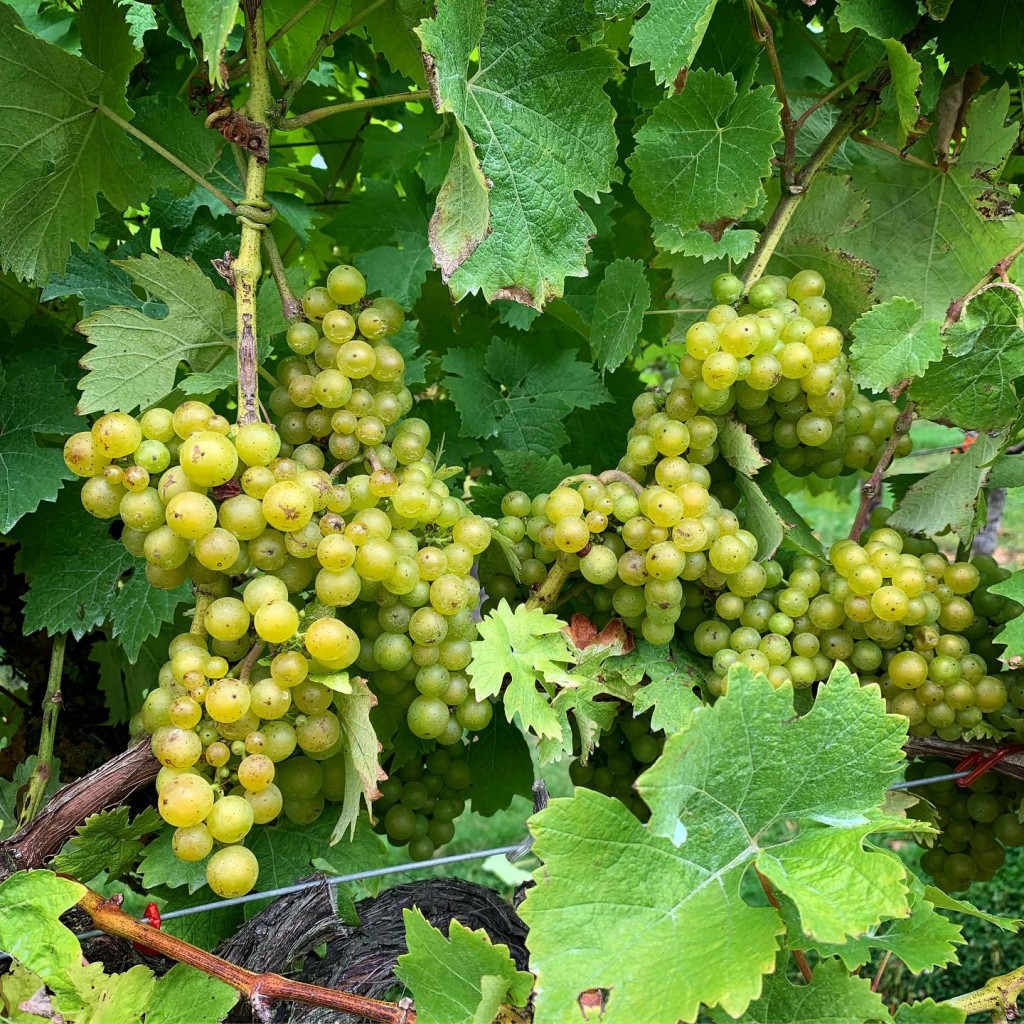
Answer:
x=623 y=753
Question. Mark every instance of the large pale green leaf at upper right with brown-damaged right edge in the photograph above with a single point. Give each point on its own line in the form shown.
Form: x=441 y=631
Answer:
x=952 y=225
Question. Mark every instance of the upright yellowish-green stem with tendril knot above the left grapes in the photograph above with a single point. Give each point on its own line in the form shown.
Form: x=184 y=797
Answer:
x=247 y=268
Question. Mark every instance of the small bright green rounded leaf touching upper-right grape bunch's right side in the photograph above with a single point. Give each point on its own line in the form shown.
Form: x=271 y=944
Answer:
x=893 y=343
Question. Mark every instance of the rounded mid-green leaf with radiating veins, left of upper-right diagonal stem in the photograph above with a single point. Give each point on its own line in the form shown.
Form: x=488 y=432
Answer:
x=704 y=154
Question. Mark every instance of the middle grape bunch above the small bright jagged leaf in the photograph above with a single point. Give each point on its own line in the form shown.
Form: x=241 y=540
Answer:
x=648 y=551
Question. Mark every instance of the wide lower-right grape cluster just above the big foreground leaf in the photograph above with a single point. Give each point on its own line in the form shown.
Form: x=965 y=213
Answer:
x=895 y=611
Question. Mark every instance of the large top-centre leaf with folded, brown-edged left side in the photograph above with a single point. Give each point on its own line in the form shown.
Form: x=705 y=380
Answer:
x=544 y=131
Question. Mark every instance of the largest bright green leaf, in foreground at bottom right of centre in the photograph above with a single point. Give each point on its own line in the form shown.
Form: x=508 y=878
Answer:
x=717 y=800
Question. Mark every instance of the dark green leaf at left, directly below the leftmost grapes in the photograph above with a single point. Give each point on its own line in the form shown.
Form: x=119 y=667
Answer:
x=79 y=578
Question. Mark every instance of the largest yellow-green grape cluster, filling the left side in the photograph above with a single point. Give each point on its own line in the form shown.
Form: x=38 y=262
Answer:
x=303 y=575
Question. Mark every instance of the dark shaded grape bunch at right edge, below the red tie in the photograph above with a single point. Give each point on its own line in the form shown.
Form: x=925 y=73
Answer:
x=976 y=824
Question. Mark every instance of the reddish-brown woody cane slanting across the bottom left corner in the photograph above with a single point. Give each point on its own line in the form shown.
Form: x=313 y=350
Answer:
x=260 y=990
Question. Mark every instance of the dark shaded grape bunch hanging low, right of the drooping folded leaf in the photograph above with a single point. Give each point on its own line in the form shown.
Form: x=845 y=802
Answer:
x=420 y=801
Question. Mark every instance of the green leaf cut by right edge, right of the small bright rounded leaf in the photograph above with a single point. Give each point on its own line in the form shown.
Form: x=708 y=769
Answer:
x=976 y=390
